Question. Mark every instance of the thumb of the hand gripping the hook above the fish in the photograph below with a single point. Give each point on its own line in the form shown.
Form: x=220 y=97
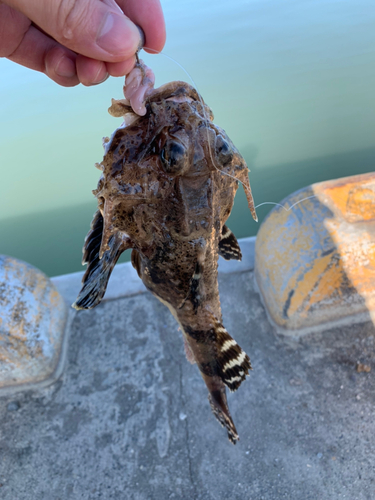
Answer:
x=94 y=28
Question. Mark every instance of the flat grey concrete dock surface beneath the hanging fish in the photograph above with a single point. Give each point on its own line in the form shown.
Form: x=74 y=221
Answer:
x=129 y=418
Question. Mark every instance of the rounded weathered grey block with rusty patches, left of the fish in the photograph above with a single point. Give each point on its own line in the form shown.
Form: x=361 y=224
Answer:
x=32 y=324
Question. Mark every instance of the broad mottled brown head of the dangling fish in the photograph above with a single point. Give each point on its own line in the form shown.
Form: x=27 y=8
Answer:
x=161 y=163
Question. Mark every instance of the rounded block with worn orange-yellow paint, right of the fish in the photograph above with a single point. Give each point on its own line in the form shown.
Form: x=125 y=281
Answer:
x=315 y=259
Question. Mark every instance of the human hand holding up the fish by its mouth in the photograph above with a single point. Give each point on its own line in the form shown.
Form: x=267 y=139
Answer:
x=79 y=41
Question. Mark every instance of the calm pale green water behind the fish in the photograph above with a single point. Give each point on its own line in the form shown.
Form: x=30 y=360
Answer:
x=292 y=83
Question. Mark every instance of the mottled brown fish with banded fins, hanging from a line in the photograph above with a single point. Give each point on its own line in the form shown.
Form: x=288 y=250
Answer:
x=167 y=187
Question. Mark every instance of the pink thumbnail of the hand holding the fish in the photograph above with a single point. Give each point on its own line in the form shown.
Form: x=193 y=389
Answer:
x=118 y=35
